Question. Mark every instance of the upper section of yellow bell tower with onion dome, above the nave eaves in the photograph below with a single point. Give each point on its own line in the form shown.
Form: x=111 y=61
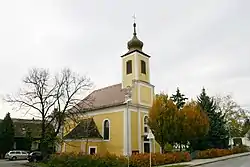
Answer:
x=136 y=71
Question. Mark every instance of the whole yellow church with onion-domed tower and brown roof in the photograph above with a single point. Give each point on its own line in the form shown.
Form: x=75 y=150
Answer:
x=114 y=126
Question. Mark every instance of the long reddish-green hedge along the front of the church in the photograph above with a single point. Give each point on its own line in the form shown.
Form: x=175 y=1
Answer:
x=109 y=160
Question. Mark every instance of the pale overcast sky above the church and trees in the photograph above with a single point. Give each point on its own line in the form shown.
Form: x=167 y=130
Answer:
x=192 y=44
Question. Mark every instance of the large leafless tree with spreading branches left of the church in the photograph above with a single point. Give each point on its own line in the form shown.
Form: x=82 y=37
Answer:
x=53 y=98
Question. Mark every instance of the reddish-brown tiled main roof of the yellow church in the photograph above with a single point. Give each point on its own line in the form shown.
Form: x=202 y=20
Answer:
x=105 y=97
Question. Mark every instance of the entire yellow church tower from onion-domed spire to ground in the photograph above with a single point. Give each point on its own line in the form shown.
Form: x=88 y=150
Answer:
x=136 y=81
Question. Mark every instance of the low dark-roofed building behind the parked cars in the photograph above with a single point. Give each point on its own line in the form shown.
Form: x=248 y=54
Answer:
x=27 y=134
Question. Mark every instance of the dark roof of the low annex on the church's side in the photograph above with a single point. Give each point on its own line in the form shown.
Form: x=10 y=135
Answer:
x=85 y=129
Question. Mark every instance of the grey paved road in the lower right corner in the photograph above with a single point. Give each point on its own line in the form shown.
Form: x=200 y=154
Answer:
x=235 y=162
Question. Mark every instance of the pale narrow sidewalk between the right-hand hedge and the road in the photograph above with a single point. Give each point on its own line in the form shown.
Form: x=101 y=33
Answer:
x=198 y=162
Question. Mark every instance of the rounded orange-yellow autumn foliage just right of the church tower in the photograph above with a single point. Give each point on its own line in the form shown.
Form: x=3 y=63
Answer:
x=170 y=125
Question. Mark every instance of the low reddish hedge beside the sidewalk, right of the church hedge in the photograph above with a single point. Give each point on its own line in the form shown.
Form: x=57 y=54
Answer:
x=212 y=153
